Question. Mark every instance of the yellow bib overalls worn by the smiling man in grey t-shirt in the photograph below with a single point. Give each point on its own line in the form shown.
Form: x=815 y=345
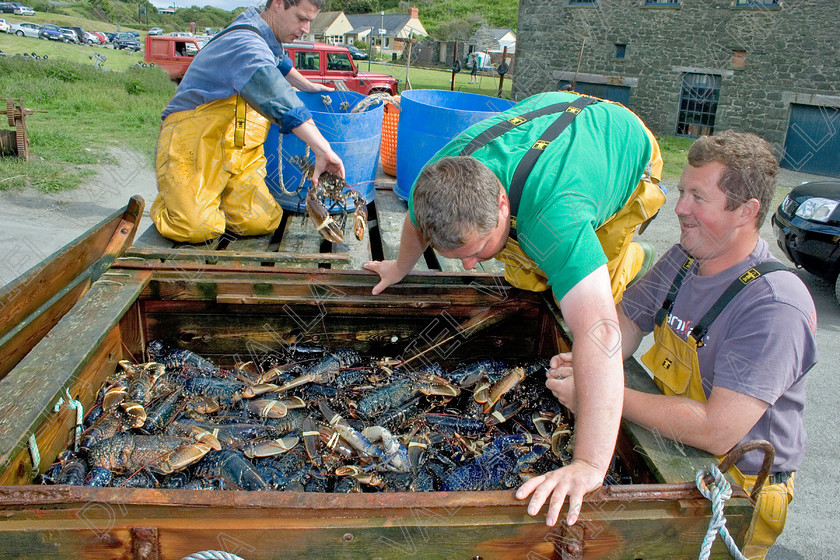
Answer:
x=676 y=370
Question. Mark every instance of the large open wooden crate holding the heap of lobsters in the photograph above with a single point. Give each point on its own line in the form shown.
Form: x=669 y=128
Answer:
x=228 y=304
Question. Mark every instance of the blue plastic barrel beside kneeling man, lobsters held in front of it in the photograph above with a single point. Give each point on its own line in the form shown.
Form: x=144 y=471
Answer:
x=355 y=137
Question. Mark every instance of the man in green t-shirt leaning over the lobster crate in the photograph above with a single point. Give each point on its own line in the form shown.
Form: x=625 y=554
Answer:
x=555 y=188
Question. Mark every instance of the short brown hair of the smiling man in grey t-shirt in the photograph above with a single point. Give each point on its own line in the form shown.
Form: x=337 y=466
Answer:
x=751 y=167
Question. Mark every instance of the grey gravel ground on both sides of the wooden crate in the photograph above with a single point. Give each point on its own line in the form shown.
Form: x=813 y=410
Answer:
x=35 y=225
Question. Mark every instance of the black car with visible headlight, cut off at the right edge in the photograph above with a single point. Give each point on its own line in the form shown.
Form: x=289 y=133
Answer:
x=807 y=227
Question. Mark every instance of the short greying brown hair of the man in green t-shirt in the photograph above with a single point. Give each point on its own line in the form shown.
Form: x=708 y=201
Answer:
x=455 y=199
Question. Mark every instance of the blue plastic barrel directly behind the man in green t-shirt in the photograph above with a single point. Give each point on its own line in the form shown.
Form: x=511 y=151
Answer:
x=429 y=119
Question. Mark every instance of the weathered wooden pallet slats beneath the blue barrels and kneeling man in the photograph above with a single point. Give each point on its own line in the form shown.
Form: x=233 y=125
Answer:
x=296 y=244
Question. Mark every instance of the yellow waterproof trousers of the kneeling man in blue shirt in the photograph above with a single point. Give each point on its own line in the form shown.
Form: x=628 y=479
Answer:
x=211 y=174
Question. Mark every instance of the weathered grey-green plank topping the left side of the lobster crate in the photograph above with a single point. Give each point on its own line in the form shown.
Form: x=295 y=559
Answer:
x=64 y=354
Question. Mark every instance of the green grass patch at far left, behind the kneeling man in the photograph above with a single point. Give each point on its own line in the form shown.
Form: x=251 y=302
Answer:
x=89 y=110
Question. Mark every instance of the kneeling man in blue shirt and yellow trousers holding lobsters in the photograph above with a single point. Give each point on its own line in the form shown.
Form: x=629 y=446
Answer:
x=210 y=160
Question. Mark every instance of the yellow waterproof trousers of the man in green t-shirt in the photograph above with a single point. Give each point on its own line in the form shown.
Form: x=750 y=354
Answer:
x=624 y=258
